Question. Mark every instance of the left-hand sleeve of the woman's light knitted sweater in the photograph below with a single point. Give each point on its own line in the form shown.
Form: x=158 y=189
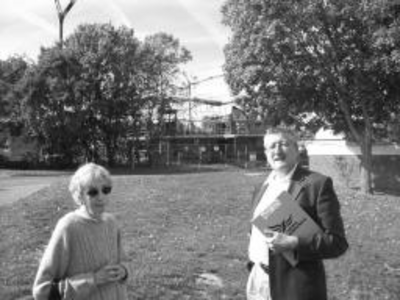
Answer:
x=54 y=264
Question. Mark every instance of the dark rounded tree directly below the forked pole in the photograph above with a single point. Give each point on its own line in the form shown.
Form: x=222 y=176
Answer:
x=49 y=103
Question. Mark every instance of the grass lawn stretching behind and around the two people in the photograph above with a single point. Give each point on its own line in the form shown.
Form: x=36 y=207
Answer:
x=187 y=235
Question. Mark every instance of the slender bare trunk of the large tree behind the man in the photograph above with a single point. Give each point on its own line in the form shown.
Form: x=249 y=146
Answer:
x=366 y=165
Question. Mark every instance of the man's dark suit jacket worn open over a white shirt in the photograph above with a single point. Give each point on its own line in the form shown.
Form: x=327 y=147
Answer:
x=315 y=194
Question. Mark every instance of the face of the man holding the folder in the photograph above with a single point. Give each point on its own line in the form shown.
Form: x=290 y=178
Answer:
x=281 y=152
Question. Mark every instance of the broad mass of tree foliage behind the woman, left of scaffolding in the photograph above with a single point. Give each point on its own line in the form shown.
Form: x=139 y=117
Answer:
x=88 y=99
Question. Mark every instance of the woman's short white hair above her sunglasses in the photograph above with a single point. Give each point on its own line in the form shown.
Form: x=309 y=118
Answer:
x=86 y=176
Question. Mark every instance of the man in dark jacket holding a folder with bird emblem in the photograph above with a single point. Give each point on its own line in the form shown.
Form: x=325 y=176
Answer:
x=271 y=275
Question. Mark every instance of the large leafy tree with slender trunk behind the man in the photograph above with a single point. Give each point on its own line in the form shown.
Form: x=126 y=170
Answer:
x=338 y=59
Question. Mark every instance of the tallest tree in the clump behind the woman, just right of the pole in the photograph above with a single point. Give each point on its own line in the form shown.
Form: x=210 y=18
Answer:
x=110 y=59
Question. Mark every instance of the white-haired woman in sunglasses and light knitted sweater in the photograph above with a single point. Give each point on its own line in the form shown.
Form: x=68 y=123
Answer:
x=84 y=258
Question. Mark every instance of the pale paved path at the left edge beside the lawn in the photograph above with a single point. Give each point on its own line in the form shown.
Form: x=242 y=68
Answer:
x=16 y=186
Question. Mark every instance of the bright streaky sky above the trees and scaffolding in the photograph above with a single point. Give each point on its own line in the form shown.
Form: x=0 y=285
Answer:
x=26 y=25
